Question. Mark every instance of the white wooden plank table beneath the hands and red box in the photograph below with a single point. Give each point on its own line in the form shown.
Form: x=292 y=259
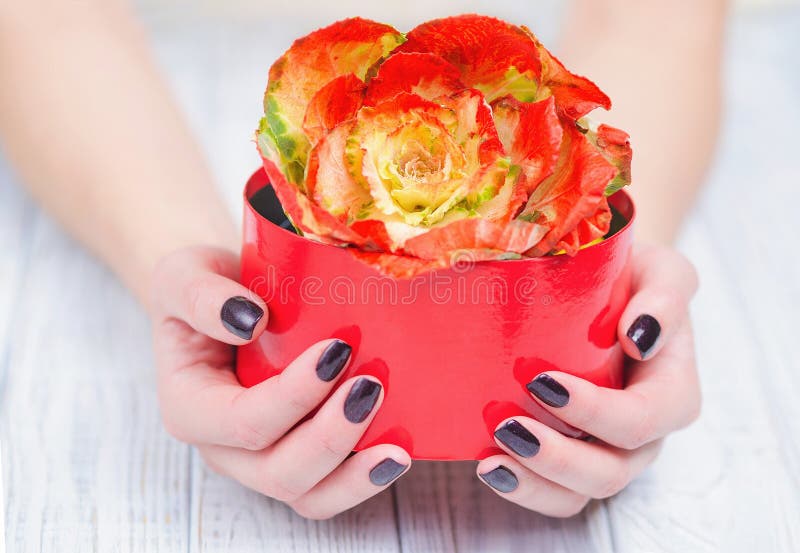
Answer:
x=87 y=466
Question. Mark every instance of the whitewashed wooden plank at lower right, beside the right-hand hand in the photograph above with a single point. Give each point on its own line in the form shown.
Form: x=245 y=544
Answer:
x=721 y=485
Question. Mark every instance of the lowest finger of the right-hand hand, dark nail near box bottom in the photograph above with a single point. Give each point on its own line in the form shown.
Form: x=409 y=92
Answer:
x=510 y=480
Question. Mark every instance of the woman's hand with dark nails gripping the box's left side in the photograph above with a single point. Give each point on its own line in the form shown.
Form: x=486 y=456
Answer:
x=252 y=434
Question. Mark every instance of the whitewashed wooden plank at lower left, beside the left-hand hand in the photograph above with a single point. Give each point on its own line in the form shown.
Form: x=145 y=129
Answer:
x=88 y=467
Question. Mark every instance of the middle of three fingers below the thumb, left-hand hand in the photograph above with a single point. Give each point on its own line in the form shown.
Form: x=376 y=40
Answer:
x=294 y=465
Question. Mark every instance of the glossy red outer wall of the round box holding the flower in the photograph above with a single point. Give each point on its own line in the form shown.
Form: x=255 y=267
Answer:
x=453 y=348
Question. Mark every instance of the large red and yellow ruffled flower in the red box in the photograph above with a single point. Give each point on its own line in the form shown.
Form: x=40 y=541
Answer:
x=464 y=135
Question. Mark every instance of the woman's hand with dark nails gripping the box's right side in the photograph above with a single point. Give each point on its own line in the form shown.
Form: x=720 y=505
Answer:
x=556 y=475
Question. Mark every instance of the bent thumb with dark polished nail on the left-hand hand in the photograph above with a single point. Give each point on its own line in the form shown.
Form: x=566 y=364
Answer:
x=198 y=286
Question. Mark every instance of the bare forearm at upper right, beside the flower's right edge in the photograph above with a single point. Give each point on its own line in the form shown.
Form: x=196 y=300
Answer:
x=660 y=63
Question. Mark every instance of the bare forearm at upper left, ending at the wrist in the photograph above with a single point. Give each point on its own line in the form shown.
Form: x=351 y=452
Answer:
x=92 y=130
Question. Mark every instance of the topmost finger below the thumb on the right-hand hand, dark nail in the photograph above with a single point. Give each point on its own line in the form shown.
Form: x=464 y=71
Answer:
x=663 y=395
